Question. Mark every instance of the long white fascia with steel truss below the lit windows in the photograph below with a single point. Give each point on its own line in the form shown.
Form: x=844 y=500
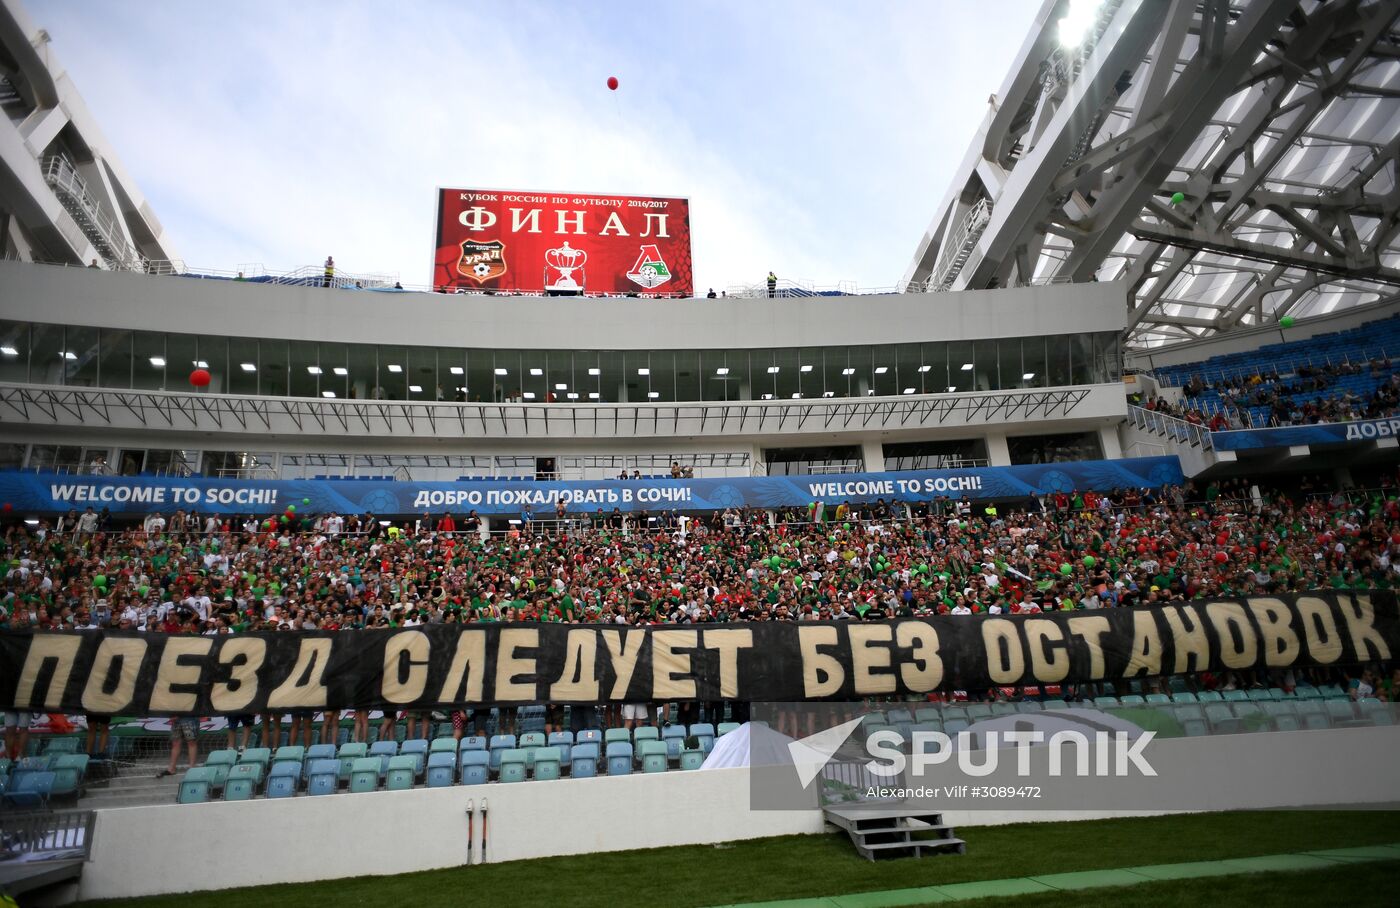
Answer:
x=157 y=411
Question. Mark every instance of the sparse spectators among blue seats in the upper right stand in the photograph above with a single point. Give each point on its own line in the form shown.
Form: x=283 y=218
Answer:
x=1290 y=401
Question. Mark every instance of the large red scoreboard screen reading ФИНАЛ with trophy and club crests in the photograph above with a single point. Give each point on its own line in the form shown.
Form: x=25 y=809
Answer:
x=510 y=241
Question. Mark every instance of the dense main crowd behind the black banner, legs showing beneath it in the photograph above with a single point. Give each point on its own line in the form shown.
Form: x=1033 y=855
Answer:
x=205 y=574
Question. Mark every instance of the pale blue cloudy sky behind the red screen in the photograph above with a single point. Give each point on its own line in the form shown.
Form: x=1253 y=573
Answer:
x=814 y=139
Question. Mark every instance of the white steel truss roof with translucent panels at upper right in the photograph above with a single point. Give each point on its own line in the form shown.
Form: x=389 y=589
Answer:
x=1231 y=162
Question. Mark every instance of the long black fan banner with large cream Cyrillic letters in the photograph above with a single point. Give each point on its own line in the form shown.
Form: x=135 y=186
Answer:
x=463 y=665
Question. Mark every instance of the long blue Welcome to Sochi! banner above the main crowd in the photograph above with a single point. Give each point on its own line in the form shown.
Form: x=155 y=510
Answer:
x=47 y=493
